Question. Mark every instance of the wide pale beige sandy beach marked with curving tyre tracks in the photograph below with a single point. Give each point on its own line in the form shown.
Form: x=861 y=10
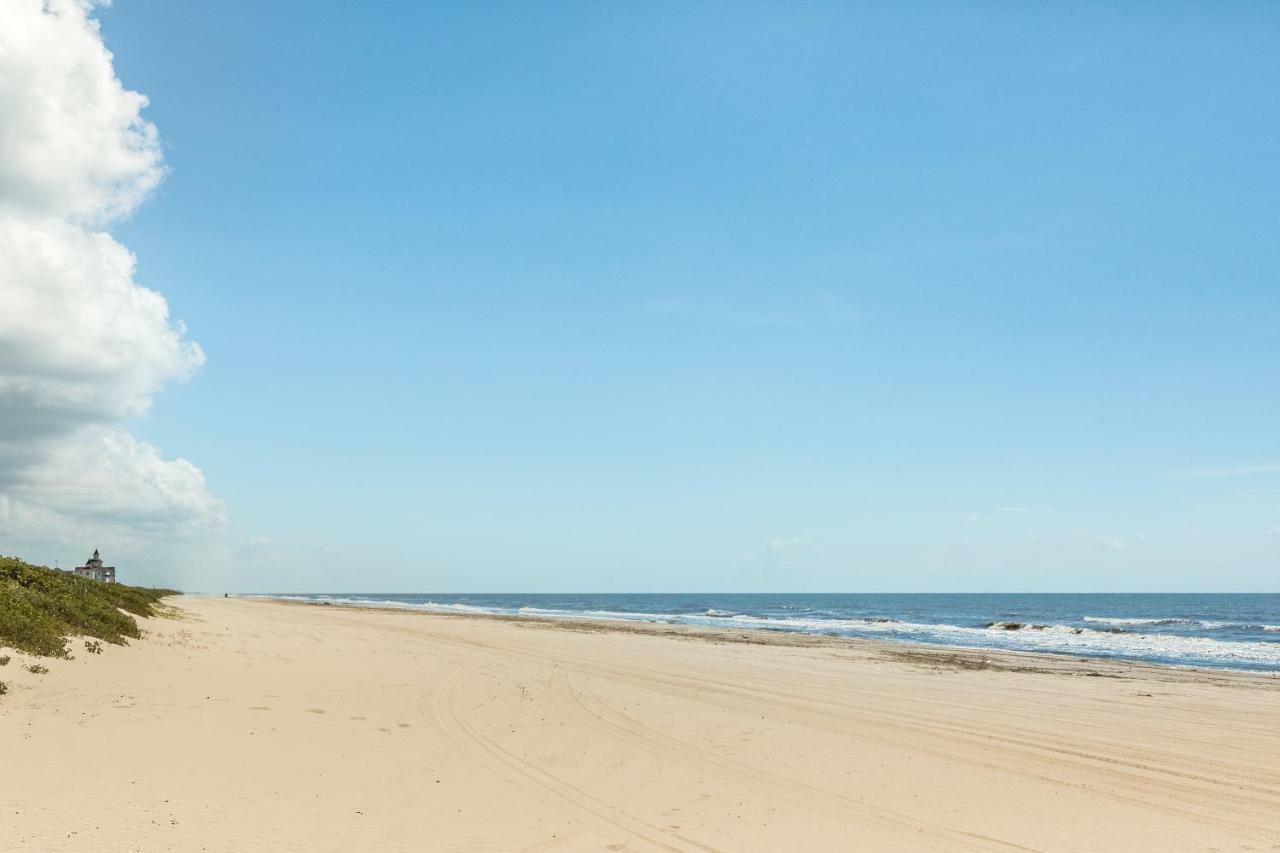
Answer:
x=252 y=726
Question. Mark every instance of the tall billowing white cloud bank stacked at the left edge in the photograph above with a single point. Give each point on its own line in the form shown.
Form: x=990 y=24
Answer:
x=84 y=348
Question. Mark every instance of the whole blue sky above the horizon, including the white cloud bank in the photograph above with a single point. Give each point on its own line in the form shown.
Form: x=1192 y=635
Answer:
x=666 y=297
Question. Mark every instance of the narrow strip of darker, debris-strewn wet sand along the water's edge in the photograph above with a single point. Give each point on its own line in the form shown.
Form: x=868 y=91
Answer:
x=964 y=656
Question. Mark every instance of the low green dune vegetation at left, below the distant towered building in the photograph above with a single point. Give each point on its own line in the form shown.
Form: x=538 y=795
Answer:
x=42 y=608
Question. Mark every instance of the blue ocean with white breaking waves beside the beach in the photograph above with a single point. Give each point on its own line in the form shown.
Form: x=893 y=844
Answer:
x=1215 y=631
